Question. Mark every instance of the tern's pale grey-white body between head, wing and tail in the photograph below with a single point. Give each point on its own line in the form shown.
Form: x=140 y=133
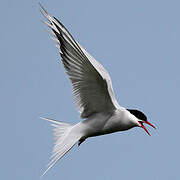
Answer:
x=104 y=123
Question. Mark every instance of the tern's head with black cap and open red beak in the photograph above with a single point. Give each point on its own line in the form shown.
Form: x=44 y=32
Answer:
x=141 y=119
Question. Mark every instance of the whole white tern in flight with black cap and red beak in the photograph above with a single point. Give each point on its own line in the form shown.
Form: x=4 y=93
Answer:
x=93 y=95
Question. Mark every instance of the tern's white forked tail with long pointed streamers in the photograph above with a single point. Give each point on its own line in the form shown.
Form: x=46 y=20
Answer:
x=65 y=139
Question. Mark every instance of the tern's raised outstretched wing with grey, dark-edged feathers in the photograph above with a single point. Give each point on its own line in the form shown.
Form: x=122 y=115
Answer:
x=92 y=87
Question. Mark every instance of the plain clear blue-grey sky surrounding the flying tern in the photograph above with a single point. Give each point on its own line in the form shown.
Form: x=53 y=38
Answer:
x=137 y=41
